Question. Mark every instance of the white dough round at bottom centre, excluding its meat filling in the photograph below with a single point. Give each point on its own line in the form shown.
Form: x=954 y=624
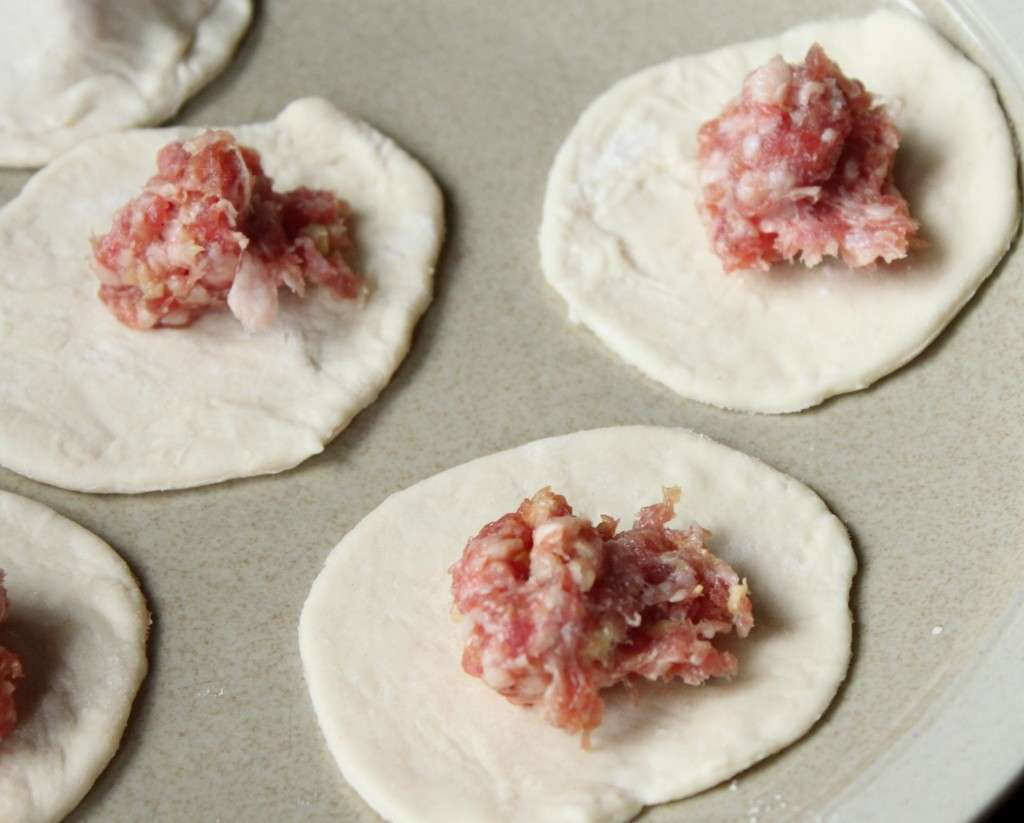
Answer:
x=422 y=742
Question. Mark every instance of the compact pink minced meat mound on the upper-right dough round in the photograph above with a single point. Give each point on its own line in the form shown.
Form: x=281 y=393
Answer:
x=801 y=165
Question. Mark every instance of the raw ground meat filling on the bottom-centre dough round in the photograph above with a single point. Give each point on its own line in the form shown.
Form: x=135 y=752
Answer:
x=557 y=609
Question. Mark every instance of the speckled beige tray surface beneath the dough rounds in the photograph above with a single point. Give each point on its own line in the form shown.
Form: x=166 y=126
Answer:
x=927 y=468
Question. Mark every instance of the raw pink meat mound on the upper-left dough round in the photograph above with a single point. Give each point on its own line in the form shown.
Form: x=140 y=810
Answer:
x=209 y=231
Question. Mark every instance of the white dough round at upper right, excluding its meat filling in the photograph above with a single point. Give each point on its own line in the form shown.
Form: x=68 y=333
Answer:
x=624 y=245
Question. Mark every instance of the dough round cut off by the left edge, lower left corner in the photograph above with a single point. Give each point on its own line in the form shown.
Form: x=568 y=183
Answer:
x=79 y=624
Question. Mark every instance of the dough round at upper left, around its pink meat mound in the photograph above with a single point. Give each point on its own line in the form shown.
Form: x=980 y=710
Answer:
x=90 y=405
